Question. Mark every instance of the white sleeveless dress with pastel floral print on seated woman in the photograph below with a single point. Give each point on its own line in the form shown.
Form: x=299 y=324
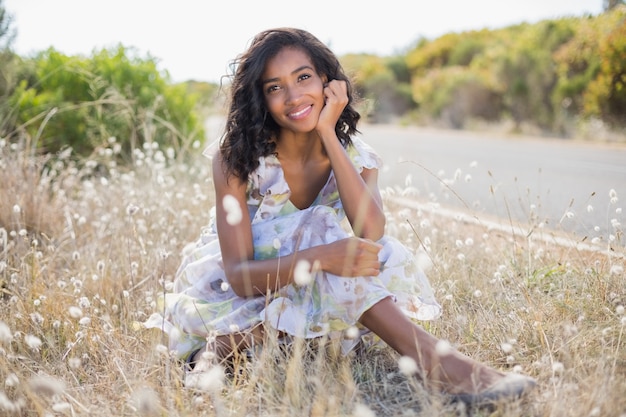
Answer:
x=202 y=303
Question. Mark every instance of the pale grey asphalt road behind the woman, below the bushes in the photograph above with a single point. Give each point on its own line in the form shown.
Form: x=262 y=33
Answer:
x=565 y=185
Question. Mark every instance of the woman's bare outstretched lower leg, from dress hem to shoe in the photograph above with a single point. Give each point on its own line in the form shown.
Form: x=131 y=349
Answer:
x=449 y=371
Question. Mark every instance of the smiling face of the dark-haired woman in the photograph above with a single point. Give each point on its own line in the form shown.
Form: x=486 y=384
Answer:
x=293 y=90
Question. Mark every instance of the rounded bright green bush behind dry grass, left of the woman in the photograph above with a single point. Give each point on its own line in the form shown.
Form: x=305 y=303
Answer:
x=79 y=102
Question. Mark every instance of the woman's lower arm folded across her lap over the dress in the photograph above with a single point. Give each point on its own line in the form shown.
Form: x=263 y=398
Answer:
x=248 y=277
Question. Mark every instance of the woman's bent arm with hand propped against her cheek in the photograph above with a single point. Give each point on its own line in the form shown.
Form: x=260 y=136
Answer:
x=359 y=193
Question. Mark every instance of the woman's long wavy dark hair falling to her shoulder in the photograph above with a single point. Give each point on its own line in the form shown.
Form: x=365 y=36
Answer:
x=250 y=131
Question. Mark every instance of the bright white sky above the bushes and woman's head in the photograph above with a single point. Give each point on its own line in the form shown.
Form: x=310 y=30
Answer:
x=196 y=39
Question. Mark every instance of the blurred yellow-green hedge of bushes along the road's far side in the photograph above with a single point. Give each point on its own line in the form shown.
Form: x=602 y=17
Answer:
x=564 y=77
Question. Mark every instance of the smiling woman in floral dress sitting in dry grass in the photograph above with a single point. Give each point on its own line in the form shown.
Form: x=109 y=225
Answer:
x=287 y=173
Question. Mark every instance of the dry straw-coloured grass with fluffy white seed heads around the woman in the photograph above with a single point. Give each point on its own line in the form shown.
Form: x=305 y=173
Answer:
x=86 y=249
